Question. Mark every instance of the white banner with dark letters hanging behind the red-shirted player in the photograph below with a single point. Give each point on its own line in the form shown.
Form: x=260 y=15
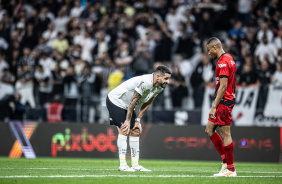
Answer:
x=244 y=110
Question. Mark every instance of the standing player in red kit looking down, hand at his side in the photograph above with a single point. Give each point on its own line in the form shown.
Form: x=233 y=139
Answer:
x=220 y=113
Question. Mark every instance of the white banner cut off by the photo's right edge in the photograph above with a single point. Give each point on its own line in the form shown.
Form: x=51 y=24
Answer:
x=273 y=105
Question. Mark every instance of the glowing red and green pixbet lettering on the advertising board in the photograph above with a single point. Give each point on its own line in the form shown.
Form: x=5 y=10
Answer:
x=83 y=142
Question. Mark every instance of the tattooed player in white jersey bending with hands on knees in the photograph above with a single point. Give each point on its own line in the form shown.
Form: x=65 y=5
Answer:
x=121 y=103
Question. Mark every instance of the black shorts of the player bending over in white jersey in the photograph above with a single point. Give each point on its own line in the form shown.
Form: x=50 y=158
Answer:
x=118 y=115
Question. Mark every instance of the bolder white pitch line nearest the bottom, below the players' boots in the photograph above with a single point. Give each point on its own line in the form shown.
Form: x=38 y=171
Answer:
x=129 y=176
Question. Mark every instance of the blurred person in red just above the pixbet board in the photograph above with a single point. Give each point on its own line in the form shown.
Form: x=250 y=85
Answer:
x=55 y=110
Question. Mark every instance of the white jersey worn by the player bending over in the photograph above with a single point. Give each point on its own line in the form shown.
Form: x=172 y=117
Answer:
x=122 y=94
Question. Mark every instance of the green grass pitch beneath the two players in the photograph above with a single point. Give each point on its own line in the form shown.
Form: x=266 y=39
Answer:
x=73 y=171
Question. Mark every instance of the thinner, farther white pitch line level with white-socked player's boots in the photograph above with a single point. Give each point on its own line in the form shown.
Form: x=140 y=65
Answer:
x=82 y=169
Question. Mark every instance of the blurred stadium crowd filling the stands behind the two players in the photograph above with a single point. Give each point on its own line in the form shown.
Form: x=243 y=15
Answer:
x=76 y=51
